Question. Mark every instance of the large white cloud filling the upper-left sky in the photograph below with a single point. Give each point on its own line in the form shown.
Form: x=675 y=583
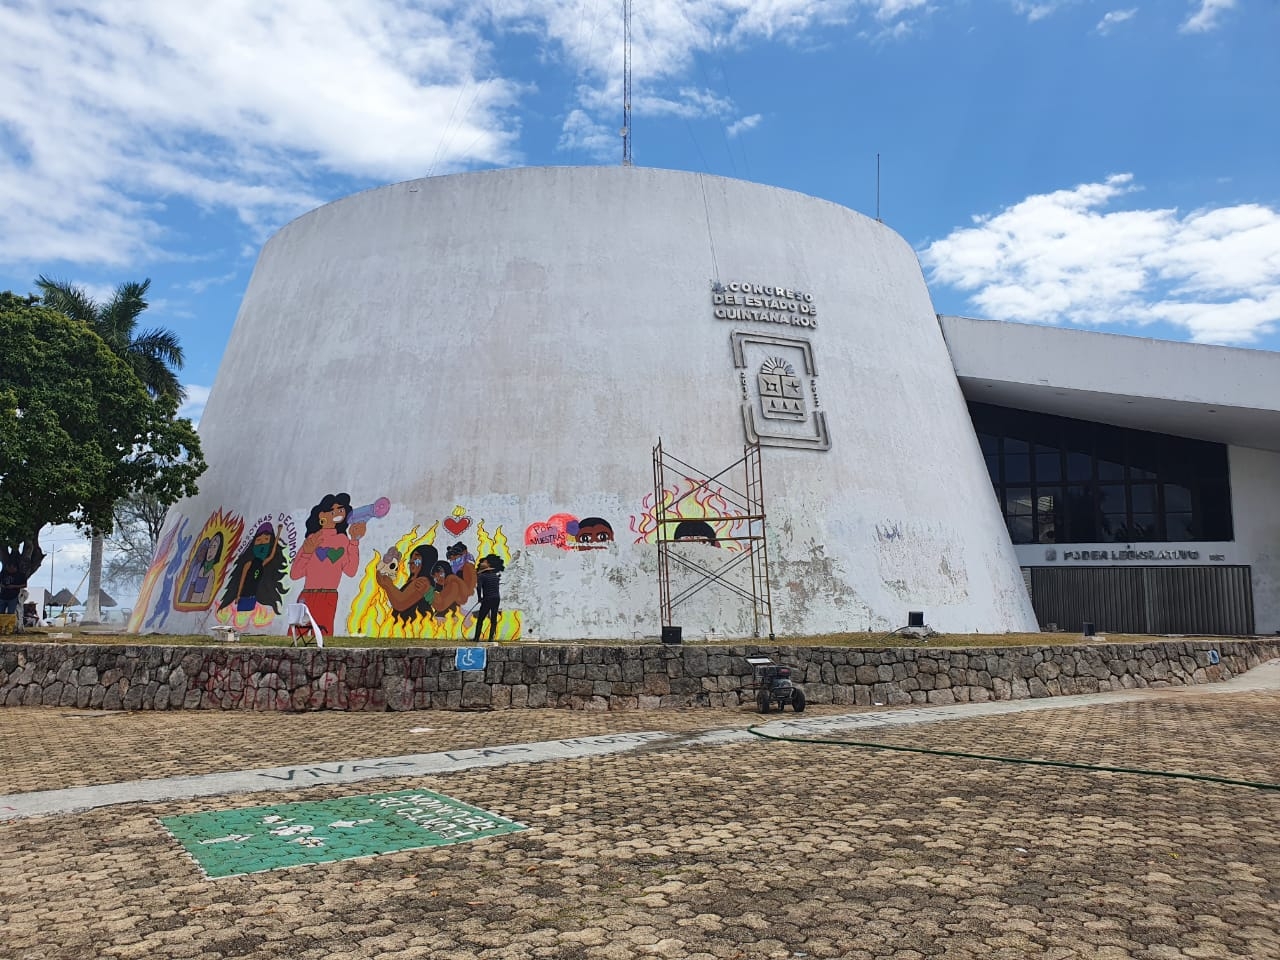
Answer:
x=243 y=108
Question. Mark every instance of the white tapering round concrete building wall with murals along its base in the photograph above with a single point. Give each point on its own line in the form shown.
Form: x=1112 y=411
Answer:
x=490 y=360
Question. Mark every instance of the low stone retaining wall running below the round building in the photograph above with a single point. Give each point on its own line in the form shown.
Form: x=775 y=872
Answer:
x=93 y=676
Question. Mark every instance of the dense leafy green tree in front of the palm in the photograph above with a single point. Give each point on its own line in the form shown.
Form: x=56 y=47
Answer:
x=79 y=431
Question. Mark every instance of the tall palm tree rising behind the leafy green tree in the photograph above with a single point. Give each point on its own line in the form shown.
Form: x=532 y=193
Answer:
x=154 y=355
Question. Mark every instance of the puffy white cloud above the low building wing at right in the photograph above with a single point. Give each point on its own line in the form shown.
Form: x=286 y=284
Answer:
x=1064 y=259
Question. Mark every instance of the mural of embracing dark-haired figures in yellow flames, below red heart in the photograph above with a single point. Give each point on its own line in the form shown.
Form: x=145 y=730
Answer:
x=410 y=592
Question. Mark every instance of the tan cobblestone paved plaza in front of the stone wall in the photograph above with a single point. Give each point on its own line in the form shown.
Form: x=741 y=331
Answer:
x=735 y=851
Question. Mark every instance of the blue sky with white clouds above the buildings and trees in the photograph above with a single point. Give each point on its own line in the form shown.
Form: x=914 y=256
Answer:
x=1110 y=166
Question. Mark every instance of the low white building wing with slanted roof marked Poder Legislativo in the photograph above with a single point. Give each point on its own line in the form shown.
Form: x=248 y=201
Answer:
x=1183 y=527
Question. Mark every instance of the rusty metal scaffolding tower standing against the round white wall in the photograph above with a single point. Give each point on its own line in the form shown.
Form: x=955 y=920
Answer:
x=748 y=531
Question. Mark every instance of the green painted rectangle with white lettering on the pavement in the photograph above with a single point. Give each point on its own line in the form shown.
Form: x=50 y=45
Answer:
x=257 y=839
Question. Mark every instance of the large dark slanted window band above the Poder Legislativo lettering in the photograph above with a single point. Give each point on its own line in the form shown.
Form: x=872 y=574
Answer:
x=1063 y=481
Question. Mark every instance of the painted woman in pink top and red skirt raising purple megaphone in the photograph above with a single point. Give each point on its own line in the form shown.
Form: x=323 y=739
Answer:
x=331 y=551
